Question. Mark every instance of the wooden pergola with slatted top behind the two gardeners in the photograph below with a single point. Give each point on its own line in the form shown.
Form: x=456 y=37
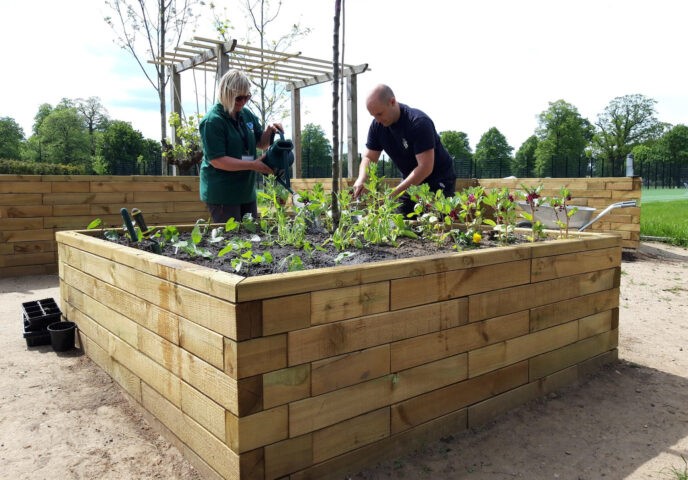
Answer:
x=293 y=69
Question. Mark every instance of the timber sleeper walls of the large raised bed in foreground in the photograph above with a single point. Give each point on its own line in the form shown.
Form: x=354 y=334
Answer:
x=318 y=373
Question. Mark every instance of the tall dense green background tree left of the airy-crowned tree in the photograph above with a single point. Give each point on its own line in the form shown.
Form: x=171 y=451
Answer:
x=562 y=137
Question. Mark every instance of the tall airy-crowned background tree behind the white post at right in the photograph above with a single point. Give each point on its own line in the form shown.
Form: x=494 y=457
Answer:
x=626 y=122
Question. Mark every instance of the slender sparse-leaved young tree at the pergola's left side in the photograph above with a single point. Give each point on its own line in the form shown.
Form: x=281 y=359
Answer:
x=148 y=33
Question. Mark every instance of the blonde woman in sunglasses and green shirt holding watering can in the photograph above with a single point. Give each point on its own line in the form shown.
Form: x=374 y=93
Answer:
x=231 y=134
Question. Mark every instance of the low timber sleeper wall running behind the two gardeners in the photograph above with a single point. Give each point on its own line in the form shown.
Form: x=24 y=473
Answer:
x=33 y=208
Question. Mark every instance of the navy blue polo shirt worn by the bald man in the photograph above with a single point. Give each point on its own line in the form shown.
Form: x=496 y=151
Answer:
x=412 y=134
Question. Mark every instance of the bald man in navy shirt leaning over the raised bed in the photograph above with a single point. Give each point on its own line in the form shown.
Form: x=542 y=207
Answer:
x=409 y=137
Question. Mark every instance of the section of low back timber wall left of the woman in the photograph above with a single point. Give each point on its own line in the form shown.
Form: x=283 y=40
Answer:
x=34 y=207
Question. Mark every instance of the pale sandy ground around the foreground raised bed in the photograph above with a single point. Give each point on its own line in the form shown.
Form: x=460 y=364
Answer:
x=62 y=417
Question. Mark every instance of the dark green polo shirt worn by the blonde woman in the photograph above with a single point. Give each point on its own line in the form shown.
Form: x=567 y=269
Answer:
x=222 y=136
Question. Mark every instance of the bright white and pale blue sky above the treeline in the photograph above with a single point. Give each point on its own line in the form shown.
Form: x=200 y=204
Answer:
x=471 y=65
